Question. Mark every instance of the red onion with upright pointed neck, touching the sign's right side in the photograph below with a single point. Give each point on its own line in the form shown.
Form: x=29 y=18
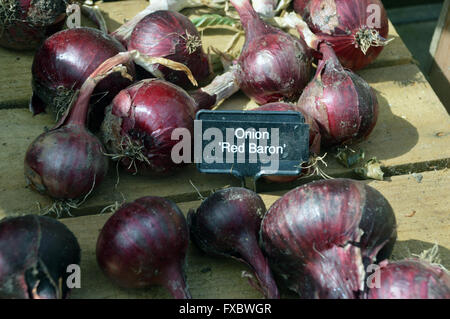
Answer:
x=342 y=103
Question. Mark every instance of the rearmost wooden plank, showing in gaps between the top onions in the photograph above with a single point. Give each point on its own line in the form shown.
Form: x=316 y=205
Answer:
x=15 y=66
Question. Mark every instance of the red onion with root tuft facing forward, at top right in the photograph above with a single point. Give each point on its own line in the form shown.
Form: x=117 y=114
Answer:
x=345 y=24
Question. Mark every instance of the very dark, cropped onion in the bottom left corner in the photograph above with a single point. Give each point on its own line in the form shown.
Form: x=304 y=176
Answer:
x=34 y=254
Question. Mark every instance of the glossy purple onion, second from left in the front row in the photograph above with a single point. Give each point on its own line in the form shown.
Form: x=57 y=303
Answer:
x=144 y=243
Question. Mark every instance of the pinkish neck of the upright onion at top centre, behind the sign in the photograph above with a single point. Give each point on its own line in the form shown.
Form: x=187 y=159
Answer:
x=251 y=22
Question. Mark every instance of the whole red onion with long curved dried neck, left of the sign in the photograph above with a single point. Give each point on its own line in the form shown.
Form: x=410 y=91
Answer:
x=68 y=161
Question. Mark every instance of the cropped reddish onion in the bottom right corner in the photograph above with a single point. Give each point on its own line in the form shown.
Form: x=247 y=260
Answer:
x=411 y=279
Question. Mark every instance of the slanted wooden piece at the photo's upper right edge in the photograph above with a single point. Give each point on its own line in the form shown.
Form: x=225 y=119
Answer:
x=439 y=49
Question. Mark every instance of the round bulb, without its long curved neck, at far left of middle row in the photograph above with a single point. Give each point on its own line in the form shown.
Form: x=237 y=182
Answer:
x=65 y=163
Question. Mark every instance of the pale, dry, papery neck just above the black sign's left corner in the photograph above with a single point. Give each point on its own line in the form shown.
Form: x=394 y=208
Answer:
x=222 y=87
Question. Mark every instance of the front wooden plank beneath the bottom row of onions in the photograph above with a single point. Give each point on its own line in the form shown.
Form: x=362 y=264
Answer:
x=211 y=277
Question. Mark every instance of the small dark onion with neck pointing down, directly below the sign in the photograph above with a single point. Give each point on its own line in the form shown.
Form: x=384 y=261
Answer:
x=227 y=224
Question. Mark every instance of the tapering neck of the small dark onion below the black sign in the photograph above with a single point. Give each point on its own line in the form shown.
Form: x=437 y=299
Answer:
x=252 y=254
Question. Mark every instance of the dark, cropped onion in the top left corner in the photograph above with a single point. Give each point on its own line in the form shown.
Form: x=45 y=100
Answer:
x=24 y=24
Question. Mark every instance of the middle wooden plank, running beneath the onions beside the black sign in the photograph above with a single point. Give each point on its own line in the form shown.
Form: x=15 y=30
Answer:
x=412 y=135
